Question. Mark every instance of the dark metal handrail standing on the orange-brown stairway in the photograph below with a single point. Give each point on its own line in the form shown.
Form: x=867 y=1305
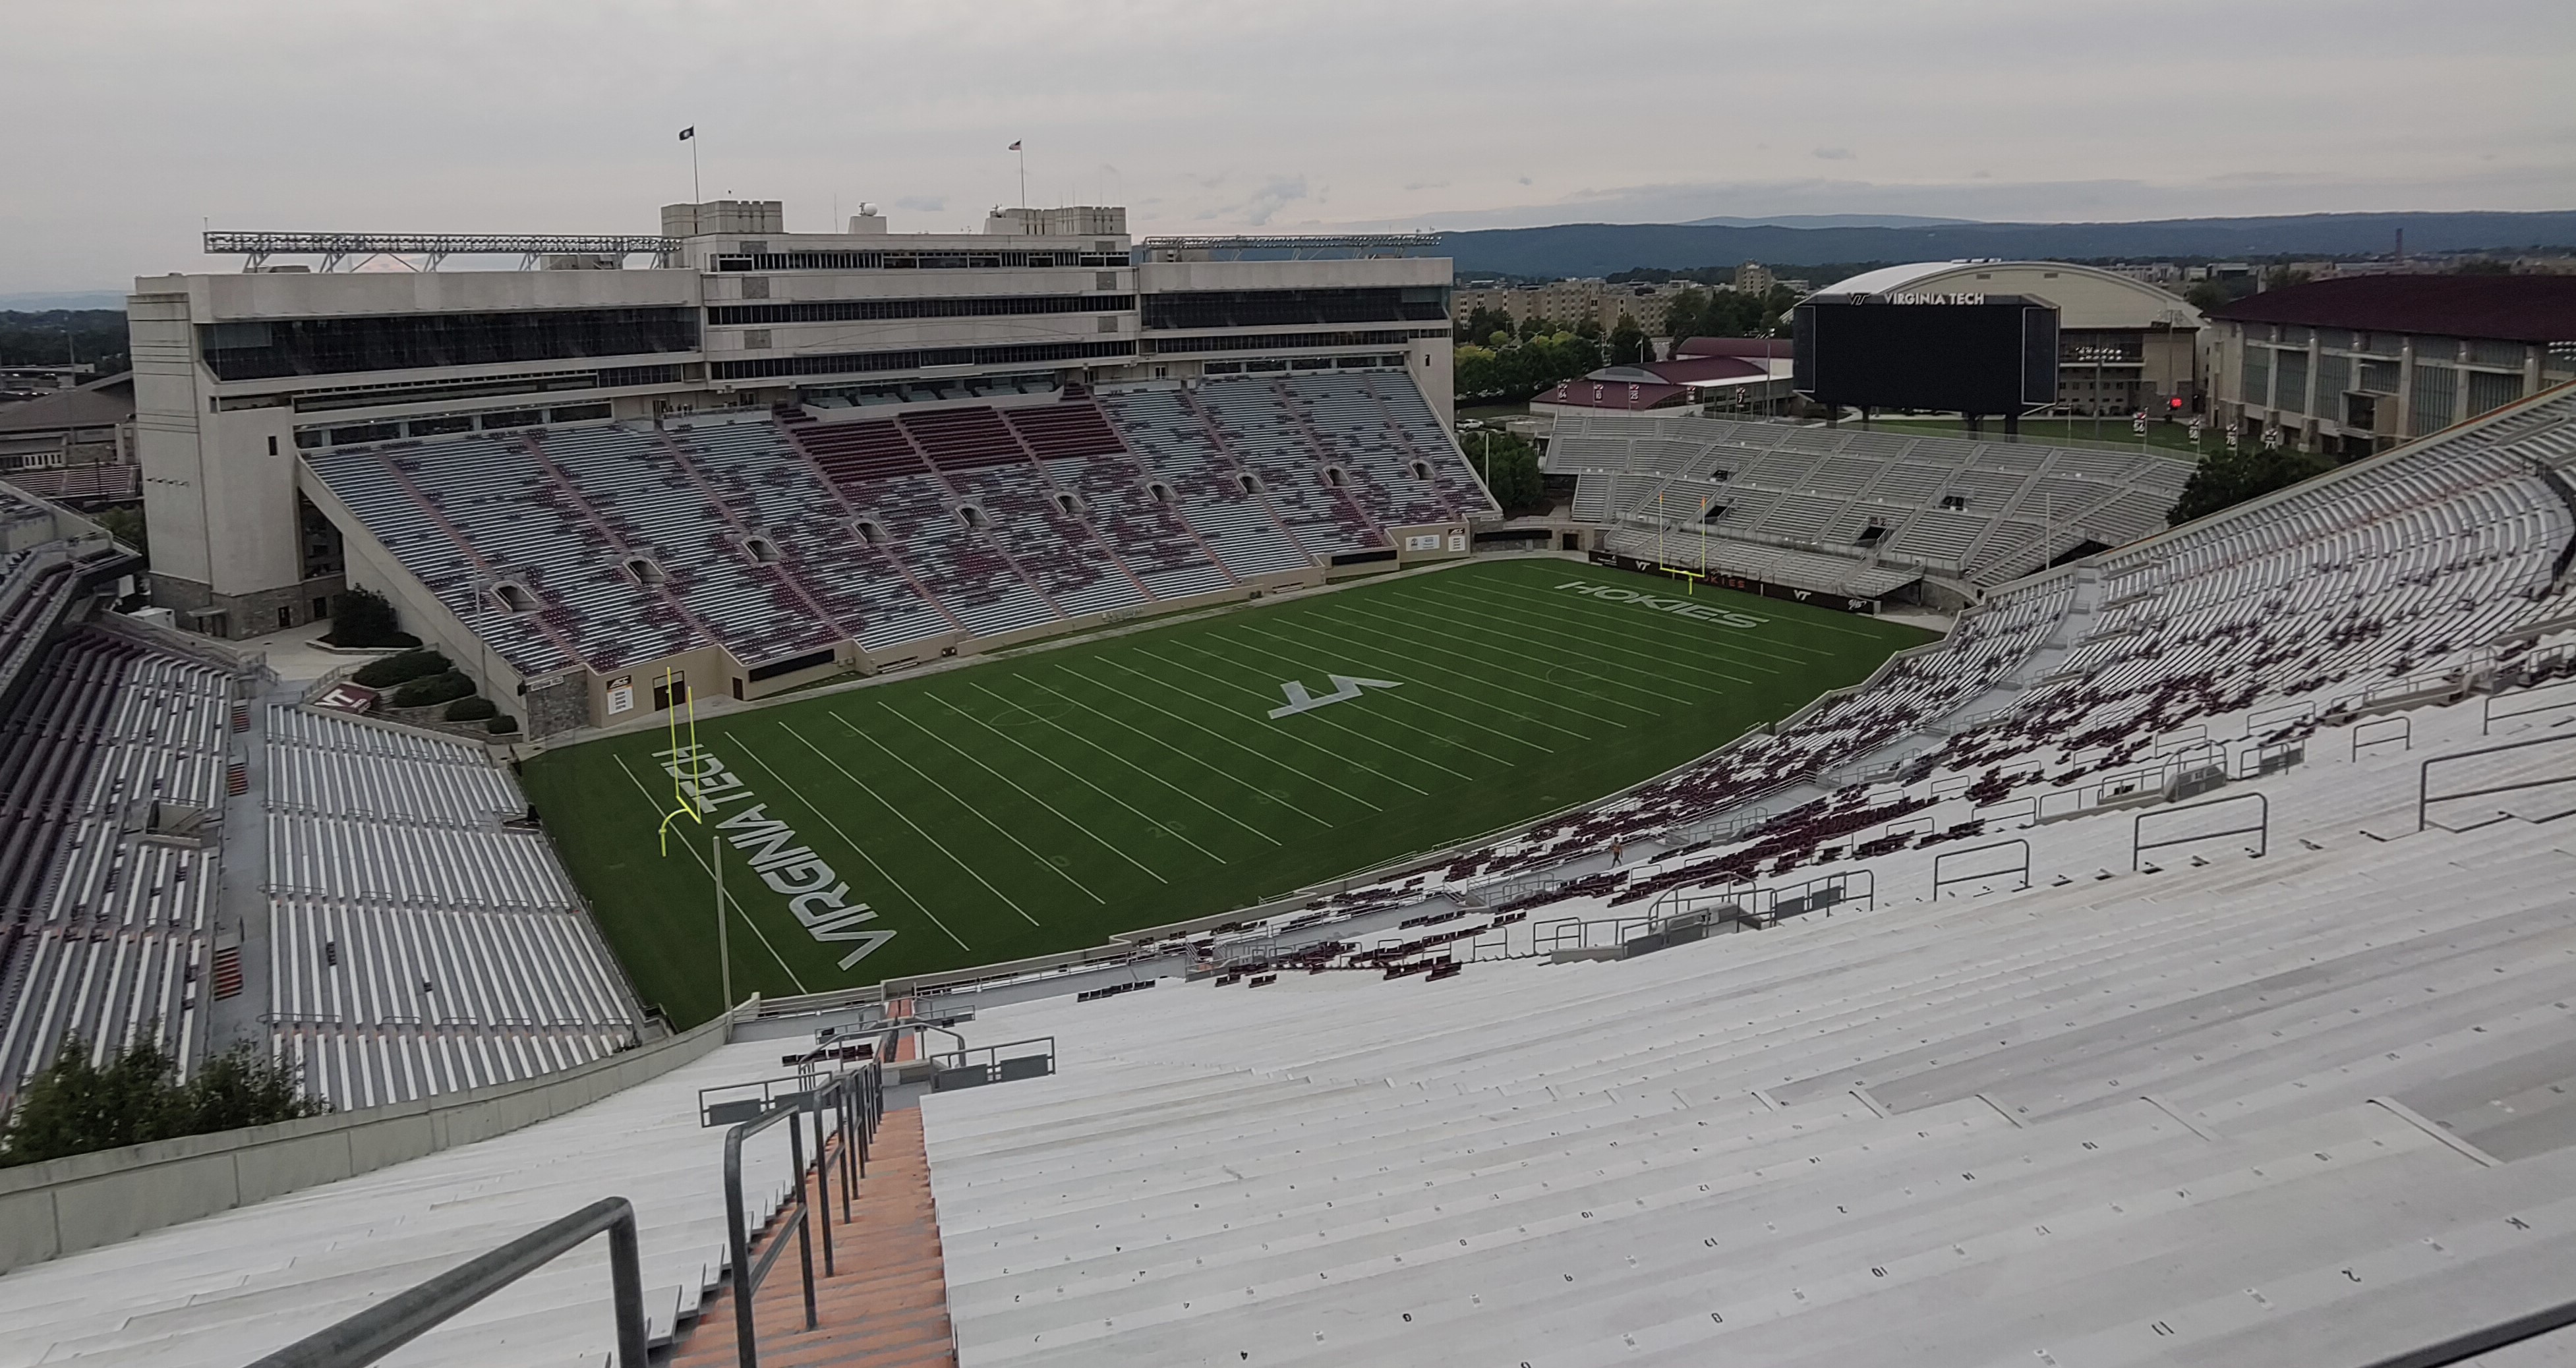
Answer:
x=857 y=1104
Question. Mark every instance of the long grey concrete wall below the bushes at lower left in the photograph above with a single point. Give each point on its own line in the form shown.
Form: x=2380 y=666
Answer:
x=97 y=1199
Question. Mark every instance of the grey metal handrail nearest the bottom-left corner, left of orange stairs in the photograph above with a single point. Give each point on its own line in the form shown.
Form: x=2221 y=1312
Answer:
x=406 y=1318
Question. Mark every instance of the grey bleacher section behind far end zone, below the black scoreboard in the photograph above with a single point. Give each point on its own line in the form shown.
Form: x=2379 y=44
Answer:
x=1825 y=488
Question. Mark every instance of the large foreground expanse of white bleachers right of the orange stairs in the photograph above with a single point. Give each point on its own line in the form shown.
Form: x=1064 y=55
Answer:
x=2072 y=1125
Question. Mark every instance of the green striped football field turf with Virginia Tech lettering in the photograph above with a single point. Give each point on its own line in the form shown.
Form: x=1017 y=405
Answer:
x=1047 y=800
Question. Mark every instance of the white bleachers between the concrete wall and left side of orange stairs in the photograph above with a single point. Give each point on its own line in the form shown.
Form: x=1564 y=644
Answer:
x=241 y=1284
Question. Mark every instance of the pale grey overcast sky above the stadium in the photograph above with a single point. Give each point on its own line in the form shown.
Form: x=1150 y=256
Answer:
x=138 y=122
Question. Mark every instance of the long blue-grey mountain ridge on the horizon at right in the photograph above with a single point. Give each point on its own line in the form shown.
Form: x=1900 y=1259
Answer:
x=1604 y=249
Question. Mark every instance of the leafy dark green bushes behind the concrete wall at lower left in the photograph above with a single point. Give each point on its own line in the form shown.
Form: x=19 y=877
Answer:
x=79 y=1107
